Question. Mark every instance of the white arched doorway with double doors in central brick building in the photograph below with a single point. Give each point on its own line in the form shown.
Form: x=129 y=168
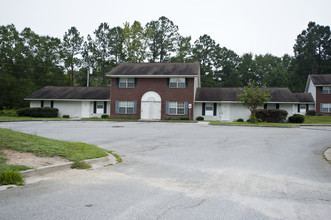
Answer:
x=150 y=106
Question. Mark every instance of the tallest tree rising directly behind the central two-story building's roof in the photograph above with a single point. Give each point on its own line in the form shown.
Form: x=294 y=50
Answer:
x=164 y=39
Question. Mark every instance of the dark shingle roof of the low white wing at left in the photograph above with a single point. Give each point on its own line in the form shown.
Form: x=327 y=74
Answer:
x=66 y=92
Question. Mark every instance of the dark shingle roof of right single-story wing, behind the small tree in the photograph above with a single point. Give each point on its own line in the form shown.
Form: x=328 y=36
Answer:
x=230 y=94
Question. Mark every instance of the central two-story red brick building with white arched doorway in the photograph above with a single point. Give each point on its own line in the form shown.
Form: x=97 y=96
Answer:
x=153 y=91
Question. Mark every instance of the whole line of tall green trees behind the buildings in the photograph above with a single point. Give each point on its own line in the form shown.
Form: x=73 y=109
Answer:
x=29 y=61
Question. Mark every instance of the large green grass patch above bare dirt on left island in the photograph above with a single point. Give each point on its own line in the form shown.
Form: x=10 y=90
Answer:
x=40 y=146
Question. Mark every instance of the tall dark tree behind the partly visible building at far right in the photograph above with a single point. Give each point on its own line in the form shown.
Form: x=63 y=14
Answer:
x=312 y=52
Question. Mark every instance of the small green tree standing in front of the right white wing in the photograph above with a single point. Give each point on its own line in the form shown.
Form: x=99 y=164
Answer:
x=252 y=96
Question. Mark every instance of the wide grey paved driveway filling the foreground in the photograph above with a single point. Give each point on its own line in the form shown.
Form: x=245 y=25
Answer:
x=181 y=171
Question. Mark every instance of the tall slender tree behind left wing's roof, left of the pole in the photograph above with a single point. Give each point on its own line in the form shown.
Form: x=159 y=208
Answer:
x=71 y=49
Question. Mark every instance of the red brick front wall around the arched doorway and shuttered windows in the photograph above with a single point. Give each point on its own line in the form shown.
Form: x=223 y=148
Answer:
x=158 y=85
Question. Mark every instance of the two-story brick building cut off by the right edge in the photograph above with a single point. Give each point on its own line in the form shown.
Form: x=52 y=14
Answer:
x=320 y=88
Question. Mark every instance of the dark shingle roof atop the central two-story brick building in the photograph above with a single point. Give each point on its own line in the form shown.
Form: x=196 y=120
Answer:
x=155 y=69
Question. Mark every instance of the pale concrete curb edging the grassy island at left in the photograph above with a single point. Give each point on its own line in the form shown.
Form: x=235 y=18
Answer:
x=65 y=166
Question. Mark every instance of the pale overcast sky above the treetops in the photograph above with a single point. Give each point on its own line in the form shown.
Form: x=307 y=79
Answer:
x=257 y=26
